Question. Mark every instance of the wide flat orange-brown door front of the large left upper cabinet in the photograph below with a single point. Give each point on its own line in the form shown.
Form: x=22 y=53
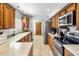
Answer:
x=6 y=16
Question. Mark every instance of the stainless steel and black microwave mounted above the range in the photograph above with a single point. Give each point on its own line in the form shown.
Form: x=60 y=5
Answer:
x=68 y=19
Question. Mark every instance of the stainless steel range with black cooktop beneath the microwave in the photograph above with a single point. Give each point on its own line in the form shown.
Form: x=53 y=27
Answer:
x=58 y=44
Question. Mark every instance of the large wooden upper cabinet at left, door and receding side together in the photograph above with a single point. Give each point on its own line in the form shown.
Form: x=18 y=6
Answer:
x=9 y=16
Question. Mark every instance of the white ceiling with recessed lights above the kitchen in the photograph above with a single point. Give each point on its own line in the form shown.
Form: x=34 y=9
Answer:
x=38 y=9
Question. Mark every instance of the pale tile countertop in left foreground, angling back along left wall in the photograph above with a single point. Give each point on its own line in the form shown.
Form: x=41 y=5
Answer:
x=14 y=48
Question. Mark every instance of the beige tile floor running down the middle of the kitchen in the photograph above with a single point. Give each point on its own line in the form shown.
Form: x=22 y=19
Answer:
x=39 y=48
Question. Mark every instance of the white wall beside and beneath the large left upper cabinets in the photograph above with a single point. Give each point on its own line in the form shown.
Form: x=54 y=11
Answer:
x=18 y=26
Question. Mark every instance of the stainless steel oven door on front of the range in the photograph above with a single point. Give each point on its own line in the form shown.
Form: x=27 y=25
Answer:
x=58 y=48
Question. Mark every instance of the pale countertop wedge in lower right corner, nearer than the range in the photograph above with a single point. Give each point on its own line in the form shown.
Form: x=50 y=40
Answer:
x=74 y=49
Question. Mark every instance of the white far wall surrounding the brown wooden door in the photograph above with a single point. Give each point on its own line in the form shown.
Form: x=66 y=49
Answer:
x=32 y=26
